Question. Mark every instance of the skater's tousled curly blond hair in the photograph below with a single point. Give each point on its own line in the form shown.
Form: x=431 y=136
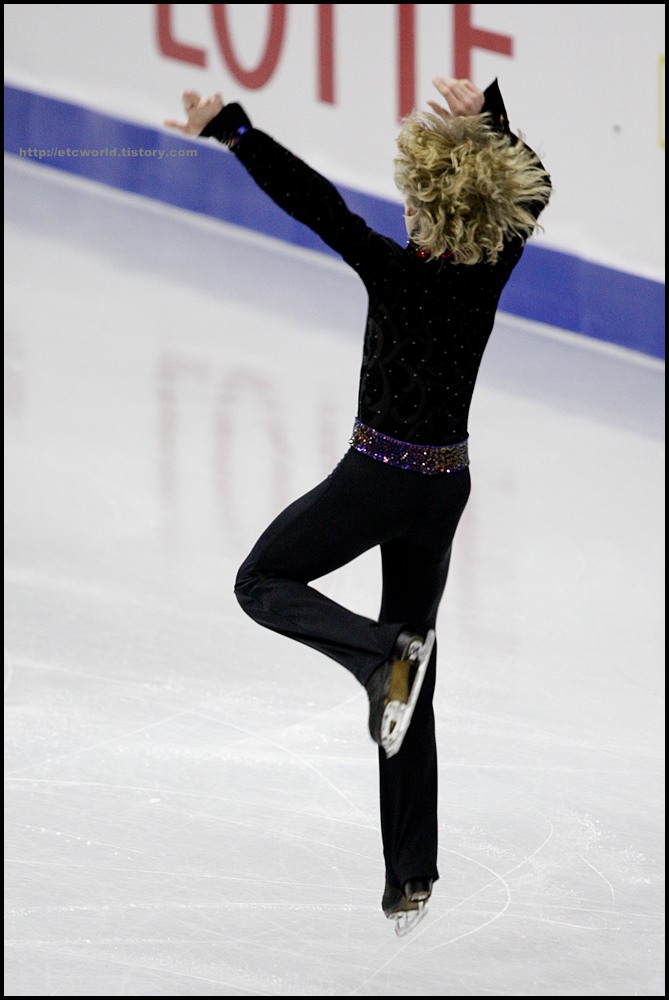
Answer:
x=466 y=186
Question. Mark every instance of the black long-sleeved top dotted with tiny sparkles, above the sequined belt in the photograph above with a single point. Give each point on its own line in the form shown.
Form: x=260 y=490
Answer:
x=428 y=321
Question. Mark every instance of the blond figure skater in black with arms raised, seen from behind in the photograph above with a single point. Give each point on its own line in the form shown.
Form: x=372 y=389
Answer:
x=473 y=192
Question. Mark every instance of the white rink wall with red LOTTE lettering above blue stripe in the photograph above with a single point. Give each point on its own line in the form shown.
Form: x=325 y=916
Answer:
x=583 y=82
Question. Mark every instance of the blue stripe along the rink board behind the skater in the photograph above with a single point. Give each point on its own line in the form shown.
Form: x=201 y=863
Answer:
x=555 y=288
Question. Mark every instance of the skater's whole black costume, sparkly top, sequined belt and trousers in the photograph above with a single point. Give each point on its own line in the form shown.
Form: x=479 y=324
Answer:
x=403 y=484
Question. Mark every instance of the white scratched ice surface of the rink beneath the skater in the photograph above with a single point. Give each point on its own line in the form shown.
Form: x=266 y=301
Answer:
x=191 y=801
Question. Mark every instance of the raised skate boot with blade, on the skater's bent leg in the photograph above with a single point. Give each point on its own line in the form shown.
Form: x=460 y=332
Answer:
x=394 y=687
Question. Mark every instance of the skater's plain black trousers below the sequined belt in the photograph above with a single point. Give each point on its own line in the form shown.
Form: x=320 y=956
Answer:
x=413 y=518
